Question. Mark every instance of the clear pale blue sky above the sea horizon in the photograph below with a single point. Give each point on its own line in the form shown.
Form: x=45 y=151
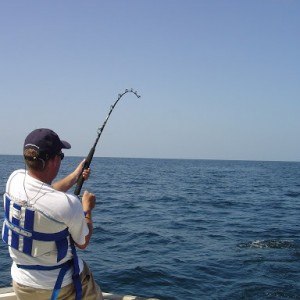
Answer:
x=218 y=79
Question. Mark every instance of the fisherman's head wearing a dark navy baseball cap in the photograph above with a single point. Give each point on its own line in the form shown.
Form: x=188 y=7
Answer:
x=40 y=146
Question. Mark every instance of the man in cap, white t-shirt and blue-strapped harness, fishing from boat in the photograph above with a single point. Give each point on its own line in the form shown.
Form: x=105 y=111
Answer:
x=43 y=225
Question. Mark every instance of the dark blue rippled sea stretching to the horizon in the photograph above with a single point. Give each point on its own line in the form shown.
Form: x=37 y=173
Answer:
x=190 y=229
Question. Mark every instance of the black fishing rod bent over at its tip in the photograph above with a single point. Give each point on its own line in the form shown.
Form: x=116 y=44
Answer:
x=99 y=132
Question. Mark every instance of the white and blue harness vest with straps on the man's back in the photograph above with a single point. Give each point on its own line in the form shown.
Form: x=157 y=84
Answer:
x=20 y=232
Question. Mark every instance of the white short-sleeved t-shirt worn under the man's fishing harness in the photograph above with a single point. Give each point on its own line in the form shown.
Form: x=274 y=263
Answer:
x=62 y=207
